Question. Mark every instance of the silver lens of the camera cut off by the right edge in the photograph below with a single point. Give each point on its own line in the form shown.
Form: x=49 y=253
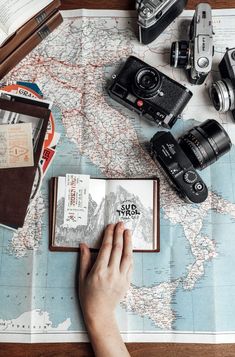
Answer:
x=222 y=95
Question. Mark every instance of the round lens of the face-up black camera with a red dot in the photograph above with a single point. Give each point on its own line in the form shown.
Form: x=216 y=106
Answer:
x=147 y=82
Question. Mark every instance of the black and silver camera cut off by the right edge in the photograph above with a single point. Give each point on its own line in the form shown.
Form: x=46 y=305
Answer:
x=223 y=91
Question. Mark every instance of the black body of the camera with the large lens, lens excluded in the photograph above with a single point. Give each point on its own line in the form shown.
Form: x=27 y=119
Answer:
x=177 y=166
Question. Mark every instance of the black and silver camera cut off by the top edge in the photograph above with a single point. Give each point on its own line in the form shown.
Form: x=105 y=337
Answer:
x=155 y=15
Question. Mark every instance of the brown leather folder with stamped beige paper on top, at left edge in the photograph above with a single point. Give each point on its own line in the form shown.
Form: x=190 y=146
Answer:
x=23 y=128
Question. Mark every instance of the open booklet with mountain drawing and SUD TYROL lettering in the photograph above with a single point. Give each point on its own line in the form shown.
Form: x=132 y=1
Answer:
x=80 y=209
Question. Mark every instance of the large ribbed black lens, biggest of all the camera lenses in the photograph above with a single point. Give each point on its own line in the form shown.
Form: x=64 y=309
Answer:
x=206 y=143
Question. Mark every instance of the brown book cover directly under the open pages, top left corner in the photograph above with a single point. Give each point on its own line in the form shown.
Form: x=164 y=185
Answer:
x=28 y=29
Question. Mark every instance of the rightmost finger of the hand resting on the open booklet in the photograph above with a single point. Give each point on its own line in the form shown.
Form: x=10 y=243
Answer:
x=127 y=255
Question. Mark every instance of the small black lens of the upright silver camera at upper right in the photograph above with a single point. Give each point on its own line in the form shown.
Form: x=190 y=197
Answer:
x=180 y=54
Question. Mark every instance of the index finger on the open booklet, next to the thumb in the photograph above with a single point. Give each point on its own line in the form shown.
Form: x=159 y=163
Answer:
x=106 y=247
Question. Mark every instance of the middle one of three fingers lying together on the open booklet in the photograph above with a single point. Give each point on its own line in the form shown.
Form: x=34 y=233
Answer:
x=117 y=248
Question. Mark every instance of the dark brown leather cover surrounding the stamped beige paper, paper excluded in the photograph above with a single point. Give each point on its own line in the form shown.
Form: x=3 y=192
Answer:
x=16 y=183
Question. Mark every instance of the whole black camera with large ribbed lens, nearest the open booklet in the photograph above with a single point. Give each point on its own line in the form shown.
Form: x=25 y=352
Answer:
x=197 y=149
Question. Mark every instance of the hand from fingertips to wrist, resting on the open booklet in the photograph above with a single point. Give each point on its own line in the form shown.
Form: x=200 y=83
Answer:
x=103 y=285
